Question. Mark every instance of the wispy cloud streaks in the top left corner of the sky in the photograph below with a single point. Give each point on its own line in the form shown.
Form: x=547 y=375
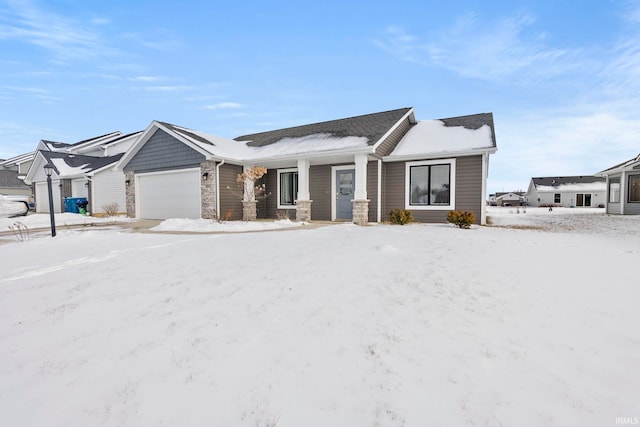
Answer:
x=64 y=38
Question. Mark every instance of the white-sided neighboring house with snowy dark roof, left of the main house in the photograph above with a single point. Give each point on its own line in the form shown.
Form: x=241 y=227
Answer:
x=83 y=169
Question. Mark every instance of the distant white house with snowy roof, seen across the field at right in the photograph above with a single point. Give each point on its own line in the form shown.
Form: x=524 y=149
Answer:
x=567 y=191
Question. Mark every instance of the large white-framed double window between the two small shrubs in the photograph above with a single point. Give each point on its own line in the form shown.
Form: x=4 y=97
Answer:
x=430 y=185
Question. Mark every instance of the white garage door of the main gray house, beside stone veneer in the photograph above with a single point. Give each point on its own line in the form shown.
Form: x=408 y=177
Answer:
x=174 y=194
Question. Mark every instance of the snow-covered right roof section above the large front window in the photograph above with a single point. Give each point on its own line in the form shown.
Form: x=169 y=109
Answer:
x=446 y=136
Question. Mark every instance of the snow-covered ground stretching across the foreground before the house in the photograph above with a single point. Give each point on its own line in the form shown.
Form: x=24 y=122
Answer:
x=385 y=325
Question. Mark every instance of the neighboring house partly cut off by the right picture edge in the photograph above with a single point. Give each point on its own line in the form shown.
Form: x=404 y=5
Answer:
x=623 y=187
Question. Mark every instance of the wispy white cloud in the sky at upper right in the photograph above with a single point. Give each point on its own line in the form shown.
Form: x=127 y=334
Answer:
x=507 y=48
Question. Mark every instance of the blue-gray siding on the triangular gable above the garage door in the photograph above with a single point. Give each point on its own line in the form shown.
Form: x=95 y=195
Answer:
x=163 y=152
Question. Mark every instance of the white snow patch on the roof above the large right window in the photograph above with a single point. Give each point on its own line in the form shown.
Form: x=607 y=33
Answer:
x=433 y=137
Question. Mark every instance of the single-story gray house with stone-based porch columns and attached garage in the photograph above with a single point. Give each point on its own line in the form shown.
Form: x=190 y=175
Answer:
x=352 y=169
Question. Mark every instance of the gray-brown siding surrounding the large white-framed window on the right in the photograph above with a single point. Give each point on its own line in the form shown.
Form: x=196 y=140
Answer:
x=468 y=190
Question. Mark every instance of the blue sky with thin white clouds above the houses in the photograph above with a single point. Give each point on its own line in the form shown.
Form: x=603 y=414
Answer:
x=562 y=78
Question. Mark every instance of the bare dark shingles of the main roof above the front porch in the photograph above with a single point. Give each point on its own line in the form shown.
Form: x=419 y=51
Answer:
x=370 y=126
